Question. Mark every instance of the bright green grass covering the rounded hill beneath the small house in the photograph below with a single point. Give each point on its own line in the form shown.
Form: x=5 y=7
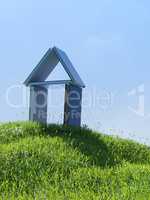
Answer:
x=65 y=163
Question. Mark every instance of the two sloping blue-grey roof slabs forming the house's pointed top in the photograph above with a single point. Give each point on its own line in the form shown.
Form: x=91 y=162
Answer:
x=46 y=65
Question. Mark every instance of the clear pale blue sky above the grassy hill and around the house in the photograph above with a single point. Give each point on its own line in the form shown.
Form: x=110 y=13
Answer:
x=108 y=43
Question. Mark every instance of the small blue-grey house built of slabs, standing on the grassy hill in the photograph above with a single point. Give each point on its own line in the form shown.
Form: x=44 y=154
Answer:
x=39 y=88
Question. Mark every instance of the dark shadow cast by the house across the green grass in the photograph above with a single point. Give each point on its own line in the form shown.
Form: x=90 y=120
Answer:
x=88 y=143
